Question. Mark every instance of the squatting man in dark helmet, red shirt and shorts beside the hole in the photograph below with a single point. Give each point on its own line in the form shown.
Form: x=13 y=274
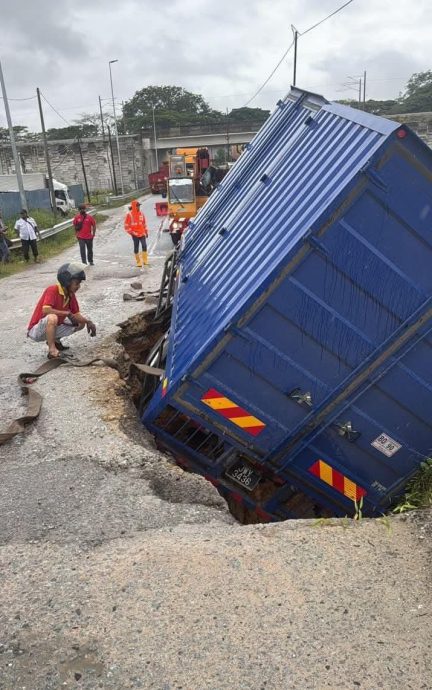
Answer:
x=57 y=313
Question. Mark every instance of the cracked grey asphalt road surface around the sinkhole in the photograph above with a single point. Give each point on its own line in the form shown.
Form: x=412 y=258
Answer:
x=118 y=570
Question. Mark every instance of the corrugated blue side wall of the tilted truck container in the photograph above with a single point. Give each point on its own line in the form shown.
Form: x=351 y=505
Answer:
x=306 y=162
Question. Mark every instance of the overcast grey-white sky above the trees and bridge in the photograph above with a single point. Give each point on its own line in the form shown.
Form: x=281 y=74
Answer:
x=222 y=49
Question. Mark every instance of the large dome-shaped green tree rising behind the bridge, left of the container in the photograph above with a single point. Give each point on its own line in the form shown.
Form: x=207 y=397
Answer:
x=173 y=106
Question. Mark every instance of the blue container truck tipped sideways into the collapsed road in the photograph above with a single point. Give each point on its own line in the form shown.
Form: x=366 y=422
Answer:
x=299 y=366
